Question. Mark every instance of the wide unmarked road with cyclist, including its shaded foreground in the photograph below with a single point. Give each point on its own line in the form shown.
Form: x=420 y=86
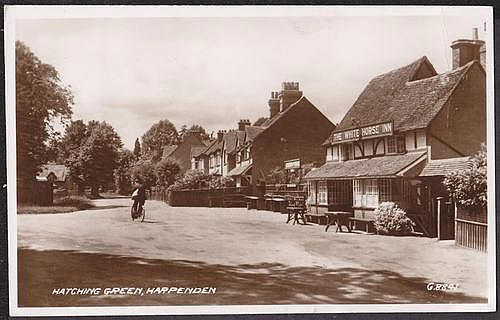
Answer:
x=250 y=257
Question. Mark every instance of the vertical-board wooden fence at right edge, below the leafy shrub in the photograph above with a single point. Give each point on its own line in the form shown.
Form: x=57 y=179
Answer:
x=471 y=229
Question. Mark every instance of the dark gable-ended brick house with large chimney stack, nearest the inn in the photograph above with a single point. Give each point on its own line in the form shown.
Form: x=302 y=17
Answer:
x=294 y=131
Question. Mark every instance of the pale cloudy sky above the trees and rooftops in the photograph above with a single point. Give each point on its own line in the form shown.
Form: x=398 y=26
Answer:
x=213 y=71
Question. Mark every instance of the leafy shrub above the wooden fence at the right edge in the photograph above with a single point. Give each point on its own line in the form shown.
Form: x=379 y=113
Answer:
x=469 y=187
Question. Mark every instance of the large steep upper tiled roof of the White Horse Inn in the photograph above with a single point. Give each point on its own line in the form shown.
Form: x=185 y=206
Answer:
x=411 y=104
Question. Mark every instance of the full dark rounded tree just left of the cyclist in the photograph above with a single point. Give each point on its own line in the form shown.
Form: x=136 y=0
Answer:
x=94 y=161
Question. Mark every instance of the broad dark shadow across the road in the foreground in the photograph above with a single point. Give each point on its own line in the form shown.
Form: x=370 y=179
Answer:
x=265 y=283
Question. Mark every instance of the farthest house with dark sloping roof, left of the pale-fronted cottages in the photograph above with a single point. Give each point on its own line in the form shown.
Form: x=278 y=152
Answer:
x=191 y=144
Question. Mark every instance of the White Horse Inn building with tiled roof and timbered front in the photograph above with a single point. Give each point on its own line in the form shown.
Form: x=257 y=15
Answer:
x=407 y=129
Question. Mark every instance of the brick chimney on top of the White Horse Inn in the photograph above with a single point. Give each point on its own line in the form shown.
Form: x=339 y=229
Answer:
x=466 y=50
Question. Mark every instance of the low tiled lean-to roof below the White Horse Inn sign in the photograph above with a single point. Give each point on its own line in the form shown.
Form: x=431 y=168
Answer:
x=385 y=166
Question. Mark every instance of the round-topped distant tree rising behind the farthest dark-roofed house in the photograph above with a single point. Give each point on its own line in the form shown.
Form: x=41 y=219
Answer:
x=161 y=134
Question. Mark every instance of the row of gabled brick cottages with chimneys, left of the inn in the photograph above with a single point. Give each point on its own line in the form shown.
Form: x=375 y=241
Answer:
x=294 y=129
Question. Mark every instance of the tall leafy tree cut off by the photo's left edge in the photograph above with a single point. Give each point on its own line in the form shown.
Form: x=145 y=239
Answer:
x=41 y=98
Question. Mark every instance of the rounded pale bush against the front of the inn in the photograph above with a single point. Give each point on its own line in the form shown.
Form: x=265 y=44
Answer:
x=390 y=219
